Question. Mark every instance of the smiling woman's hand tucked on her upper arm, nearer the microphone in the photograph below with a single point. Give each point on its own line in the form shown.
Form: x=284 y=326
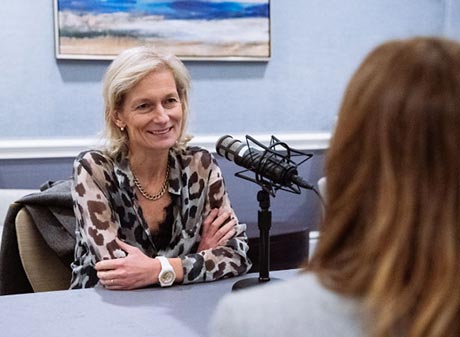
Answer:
x=218 y=228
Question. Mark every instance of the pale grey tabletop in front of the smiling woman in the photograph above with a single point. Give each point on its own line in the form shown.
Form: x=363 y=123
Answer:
x=179 y=311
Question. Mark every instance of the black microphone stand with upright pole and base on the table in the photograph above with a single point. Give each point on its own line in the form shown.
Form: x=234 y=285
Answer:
x=264 y=222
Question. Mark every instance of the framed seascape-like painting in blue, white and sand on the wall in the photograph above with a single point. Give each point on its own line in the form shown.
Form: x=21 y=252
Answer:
x=191 y=29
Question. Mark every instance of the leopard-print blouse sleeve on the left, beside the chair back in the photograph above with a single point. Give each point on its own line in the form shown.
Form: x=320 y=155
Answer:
x=97 y=223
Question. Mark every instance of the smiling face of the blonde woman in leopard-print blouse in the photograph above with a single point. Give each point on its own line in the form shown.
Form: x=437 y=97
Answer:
x=152 y=113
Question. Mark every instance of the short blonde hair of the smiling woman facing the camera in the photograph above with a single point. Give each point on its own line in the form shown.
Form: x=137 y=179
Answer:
x=126 y=70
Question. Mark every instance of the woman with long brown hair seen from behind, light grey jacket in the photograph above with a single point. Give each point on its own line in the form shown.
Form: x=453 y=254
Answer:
x=387 y=262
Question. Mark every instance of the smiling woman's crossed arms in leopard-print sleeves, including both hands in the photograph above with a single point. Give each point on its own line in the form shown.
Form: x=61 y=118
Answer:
x=221 y=241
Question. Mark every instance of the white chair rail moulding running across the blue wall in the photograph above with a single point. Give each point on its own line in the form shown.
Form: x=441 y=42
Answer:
x=66 y=148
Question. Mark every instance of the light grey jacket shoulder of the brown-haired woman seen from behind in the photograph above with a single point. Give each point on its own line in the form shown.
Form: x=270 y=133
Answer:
x=297 y=307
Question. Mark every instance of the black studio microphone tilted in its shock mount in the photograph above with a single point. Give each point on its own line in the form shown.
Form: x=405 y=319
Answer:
x=273 y=167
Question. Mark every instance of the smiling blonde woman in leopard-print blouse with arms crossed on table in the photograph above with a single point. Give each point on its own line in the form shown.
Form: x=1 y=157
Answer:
x=149 y=209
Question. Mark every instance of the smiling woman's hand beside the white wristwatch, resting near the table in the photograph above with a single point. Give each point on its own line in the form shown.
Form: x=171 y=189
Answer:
x=136 y=270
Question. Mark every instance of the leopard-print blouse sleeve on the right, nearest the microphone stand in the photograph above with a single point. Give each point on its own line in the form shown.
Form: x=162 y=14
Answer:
x=224 y=261
